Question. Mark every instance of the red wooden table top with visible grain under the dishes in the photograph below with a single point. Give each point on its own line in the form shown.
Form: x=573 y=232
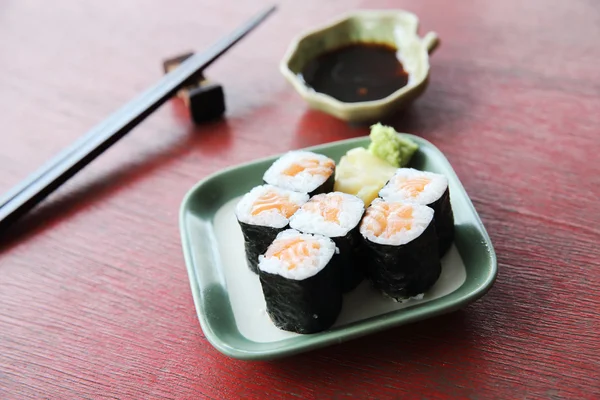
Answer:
x=94 y=296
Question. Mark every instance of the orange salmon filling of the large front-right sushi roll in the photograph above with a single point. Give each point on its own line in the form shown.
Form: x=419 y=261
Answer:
x=387 y=219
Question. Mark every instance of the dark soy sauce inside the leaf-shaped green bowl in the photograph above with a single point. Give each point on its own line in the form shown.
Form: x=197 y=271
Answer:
x=356 y=72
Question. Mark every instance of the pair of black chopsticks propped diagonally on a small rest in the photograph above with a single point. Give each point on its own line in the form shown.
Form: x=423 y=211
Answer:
x=57 y=171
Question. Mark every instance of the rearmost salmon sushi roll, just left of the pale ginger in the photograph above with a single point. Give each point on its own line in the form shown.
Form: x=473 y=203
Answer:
x=302 y=171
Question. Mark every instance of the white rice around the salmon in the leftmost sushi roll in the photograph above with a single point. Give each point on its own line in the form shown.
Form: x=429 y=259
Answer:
x=273 y=218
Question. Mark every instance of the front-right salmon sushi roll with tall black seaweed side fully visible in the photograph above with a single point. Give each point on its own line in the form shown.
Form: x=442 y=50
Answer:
x=401 y=248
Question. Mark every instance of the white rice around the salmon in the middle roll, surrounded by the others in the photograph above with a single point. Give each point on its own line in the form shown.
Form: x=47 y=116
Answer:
x=311 y=221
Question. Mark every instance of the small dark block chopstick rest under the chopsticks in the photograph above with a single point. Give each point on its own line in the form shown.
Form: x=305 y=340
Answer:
x=205 y=99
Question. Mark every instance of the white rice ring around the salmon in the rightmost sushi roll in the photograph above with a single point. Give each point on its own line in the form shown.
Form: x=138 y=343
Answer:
x=431 y=192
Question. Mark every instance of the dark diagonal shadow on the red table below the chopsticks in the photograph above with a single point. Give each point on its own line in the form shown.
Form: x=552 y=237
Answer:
x=63 y=204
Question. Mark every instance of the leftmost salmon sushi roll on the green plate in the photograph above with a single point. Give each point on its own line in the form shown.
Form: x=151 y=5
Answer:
x=262 y=214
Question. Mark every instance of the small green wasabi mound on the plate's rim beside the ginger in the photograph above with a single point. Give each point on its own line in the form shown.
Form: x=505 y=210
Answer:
x=387 y=145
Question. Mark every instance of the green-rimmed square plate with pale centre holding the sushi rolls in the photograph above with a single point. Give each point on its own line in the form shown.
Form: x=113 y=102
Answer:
x=228 y=296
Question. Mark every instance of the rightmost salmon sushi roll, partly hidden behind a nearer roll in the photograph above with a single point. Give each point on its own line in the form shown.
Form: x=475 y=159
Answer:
x=425 y=188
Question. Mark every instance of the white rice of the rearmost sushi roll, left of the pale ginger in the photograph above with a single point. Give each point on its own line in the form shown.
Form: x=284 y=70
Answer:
x=301 y=182
